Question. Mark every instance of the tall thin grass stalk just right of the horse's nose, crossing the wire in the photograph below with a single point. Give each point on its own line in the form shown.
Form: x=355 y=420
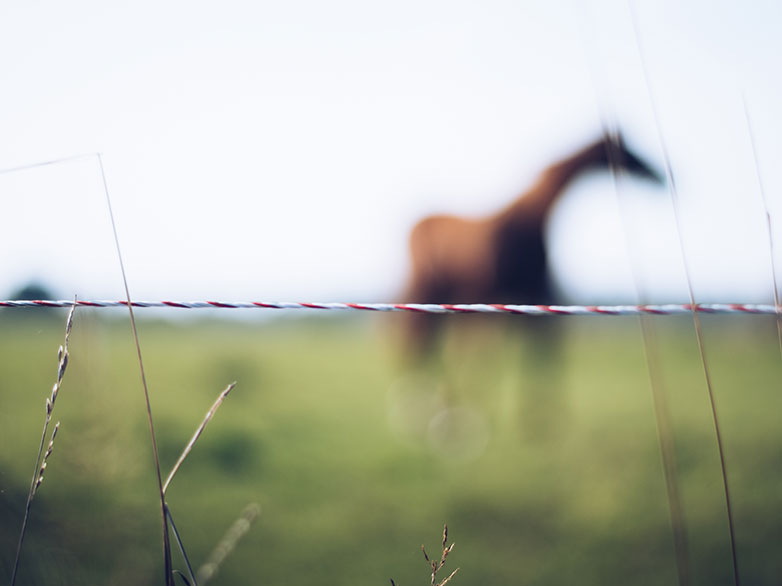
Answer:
x=696 y=319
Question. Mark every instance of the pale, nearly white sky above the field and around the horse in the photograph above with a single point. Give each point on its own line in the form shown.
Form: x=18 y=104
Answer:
x=283 y=150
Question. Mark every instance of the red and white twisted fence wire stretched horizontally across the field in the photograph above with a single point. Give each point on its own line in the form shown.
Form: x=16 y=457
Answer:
x=436 y=308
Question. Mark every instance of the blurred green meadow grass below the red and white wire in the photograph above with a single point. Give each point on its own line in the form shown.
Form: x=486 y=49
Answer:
x=546 y=471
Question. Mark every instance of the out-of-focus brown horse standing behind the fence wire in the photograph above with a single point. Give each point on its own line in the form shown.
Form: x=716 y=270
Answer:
x=502 y=258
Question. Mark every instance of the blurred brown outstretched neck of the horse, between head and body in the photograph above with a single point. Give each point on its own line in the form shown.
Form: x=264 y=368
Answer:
x=534 y=205
